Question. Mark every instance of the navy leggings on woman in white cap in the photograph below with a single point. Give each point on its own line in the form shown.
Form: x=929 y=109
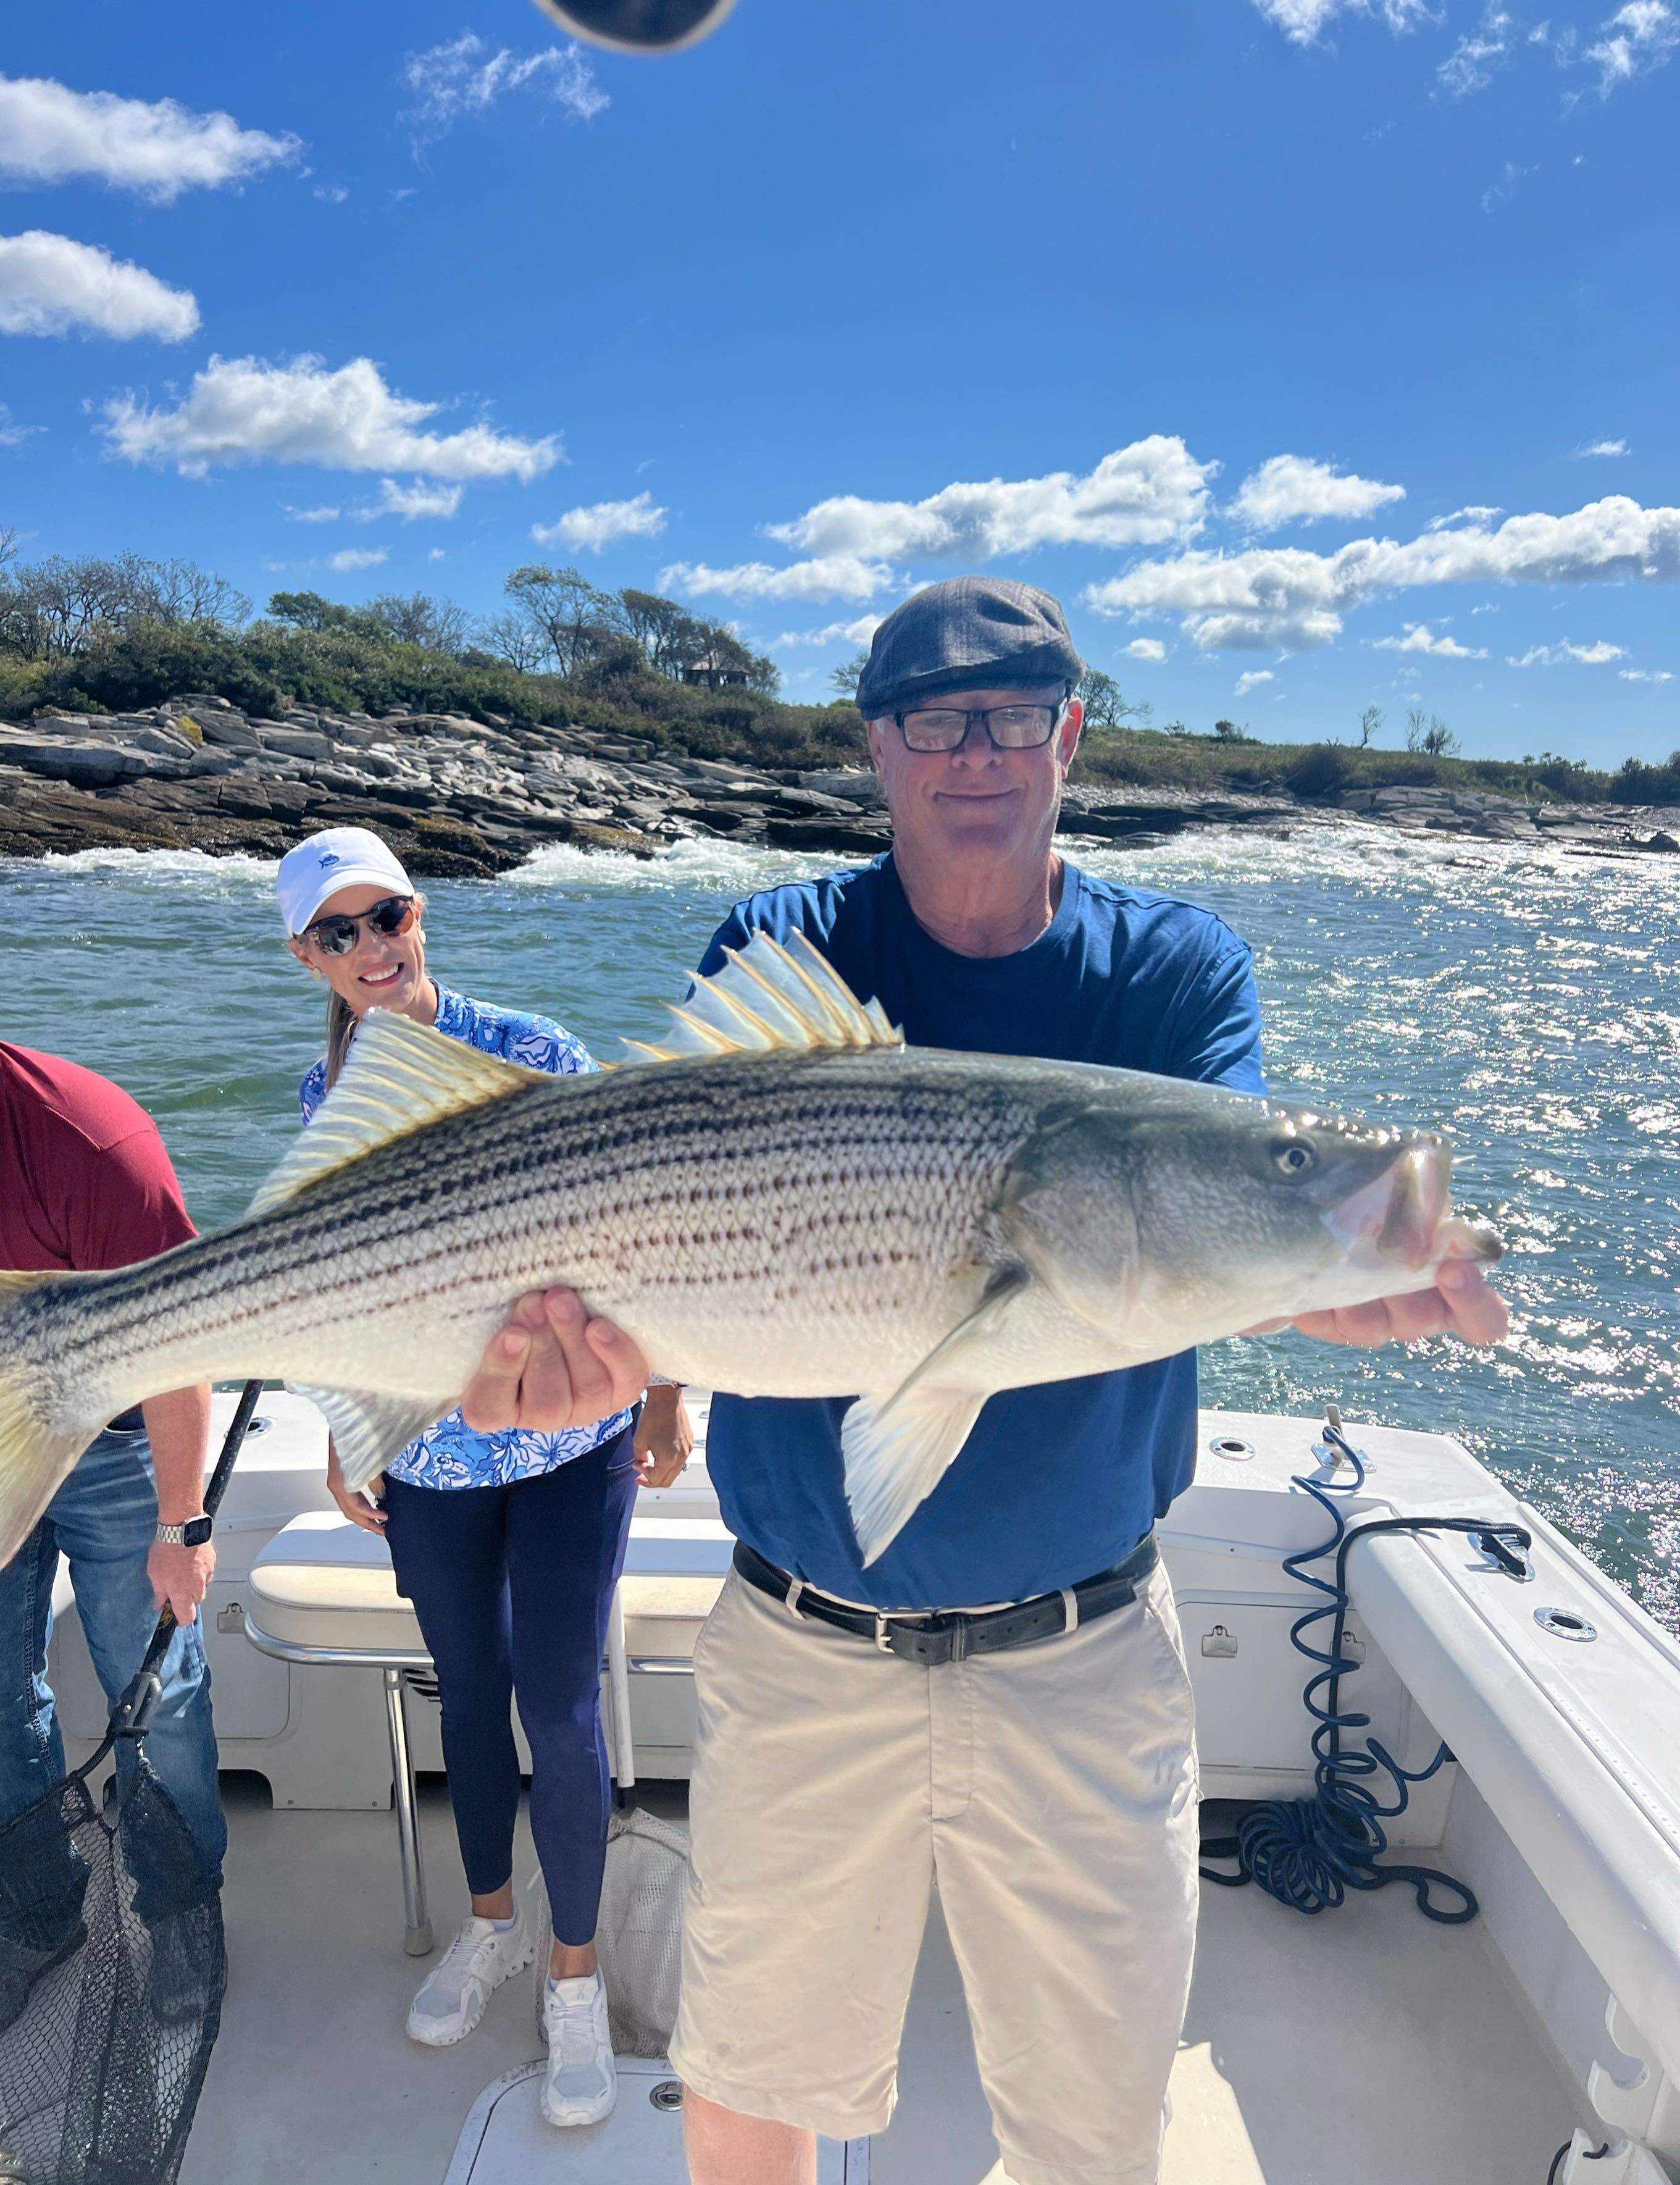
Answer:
x=512 y=1590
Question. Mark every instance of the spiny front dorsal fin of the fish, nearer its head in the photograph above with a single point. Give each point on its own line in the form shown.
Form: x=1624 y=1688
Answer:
x=770 y=1000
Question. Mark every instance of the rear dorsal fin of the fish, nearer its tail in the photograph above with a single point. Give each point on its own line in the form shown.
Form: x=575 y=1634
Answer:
x=397 y=1078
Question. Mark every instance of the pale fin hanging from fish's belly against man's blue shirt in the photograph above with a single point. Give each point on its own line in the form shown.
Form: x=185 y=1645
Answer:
x=897 y=1450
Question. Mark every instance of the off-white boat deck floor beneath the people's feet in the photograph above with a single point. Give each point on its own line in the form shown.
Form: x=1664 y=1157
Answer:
x=1358 y=2048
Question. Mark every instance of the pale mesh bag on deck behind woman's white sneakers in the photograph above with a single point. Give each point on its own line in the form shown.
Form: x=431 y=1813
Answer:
x=639 y=1933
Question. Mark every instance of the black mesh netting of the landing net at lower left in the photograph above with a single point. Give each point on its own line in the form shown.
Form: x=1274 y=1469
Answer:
x=113 y=1970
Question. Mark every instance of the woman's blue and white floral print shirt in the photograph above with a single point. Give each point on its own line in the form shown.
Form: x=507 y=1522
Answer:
x=451 y=1454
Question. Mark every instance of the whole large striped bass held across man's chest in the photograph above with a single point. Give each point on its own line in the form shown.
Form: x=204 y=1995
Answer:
x=785 y=1203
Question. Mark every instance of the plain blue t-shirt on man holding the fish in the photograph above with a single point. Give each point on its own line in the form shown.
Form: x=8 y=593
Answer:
x=1056 y=1480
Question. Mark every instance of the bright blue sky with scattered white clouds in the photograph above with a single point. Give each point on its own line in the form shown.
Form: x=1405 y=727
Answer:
x=1316 y=355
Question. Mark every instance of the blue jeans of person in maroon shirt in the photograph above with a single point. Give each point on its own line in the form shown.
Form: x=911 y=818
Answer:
x=104 y=1522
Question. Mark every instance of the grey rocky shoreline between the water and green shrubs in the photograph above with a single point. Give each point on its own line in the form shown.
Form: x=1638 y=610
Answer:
x=464 y=799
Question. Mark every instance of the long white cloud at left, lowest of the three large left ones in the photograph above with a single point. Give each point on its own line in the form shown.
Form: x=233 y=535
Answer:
x=244 y=410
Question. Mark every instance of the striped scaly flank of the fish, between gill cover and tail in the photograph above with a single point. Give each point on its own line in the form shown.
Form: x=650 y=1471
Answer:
x=694 y=1201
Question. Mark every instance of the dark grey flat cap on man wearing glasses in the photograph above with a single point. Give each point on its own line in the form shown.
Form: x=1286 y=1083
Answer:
x=967 y=635
